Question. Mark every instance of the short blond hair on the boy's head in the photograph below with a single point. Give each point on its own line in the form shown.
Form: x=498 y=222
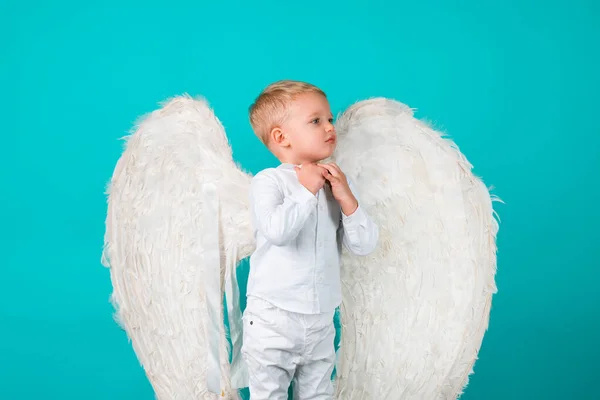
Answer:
x=270 y=108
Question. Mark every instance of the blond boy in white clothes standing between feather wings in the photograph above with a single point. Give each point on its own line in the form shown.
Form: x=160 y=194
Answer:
x=303 y=212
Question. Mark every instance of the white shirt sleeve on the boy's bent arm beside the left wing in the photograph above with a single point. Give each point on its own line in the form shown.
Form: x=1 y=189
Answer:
x=279 y=218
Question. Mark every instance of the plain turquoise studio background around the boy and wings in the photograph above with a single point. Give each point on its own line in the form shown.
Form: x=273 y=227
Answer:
x=516 y=84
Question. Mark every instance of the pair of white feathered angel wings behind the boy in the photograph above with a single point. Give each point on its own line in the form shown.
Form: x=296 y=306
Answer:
x=413 y=312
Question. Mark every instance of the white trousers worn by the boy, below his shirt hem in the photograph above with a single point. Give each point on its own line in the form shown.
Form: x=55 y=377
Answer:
x=280 y=346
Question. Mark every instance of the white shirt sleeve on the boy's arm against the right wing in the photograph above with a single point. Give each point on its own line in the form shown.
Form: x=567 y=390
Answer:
x=359 y=233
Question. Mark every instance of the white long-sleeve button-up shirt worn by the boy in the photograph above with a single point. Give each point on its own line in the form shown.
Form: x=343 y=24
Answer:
x=299 y=238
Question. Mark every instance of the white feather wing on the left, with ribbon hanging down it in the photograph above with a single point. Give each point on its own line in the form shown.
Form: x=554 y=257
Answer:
x=154 y=242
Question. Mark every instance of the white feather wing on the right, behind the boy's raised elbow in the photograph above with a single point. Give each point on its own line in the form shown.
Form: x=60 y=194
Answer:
x=415 y=311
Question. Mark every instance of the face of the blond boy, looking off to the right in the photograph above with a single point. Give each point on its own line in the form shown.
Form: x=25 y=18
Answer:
x=309 y=129
